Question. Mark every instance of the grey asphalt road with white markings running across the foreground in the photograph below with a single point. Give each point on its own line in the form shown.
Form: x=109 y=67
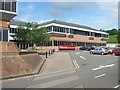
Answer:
x=91 y=71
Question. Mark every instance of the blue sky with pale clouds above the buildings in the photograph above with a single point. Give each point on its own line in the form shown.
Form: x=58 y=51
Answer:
x=99 y=15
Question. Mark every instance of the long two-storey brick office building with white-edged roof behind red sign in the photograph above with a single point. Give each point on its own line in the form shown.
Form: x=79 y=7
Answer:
x=75 y=34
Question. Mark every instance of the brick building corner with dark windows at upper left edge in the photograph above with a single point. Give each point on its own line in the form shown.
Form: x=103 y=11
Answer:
x=8 y=10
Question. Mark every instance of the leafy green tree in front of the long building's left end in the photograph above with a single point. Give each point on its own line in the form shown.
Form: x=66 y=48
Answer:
x=30 y=33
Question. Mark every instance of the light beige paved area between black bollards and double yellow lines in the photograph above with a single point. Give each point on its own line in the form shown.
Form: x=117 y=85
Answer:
x=59 y=61
